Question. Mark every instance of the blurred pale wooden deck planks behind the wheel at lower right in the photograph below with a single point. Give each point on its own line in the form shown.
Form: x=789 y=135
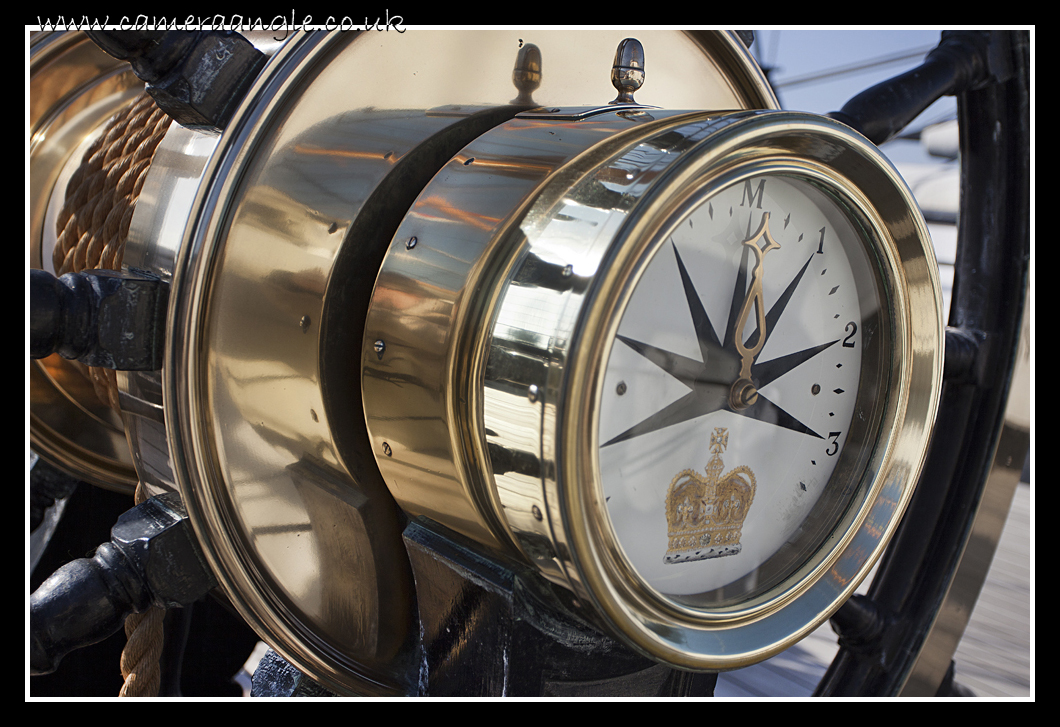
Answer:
x=994 y=659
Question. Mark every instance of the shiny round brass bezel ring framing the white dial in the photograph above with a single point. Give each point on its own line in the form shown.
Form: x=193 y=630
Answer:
x=871 y=188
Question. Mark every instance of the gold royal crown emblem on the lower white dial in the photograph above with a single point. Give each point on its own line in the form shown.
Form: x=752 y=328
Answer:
x=705 y=515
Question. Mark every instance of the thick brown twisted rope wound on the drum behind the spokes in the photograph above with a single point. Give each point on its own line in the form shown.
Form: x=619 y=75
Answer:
x=93 y=227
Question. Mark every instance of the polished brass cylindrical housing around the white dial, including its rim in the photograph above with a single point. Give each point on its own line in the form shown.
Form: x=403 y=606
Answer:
x=524 y=363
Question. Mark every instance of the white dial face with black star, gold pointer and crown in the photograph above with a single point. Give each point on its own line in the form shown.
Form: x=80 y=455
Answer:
x=741 y=396
